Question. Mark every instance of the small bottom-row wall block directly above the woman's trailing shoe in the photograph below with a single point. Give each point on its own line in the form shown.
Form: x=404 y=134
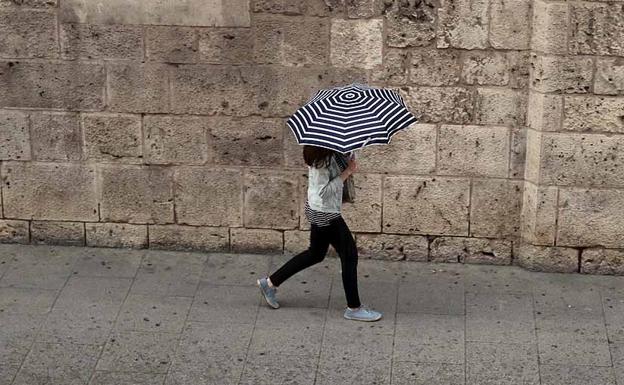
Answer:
x=256 y=241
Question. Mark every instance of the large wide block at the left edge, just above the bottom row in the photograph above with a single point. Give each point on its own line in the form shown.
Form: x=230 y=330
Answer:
x=36 y=190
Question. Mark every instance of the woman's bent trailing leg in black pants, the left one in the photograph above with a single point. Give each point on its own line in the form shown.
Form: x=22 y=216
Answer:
x=319 y=243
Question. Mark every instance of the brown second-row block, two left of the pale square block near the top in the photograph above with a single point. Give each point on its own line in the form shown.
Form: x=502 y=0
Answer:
x=226 y=45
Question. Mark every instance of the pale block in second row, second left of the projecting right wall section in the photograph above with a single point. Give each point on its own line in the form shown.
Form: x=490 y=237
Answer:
x=485 y=68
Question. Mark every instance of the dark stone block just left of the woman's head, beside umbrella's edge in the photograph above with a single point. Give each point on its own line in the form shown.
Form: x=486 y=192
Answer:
x=248 y=141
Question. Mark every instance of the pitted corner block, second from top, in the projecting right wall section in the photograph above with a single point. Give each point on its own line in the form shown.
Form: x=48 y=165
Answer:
x=568 y=74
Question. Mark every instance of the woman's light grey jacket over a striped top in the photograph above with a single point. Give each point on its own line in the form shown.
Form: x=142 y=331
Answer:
x=325 y=188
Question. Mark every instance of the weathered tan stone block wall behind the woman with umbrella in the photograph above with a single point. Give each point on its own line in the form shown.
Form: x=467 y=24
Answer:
x=161 y=124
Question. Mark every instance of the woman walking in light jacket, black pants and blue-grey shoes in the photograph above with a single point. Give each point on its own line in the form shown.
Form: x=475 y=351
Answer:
x=327 y=171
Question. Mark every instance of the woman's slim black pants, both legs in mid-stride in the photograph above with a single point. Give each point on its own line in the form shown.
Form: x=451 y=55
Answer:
x=339 y=236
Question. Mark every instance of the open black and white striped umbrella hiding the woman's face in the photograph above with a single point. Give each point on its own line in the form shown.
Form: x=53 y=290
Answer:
x=350 y=117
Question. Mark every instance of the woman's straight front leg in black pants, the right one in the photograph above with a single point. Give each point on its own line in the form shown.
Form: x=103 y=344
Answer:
x=345 y=246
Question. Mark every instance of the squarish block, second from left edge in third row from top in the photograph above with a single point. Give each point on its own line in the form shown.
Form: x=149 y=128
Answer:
x=134 y=87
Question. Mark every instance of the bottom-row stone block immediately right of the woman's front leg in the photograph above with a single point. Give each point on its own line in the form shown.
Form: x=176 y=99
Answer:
x=393 y=247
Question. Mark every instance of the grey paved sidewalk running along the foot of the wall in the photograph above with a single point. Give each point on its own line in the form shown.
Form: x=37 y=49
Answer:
x=72 y=315
